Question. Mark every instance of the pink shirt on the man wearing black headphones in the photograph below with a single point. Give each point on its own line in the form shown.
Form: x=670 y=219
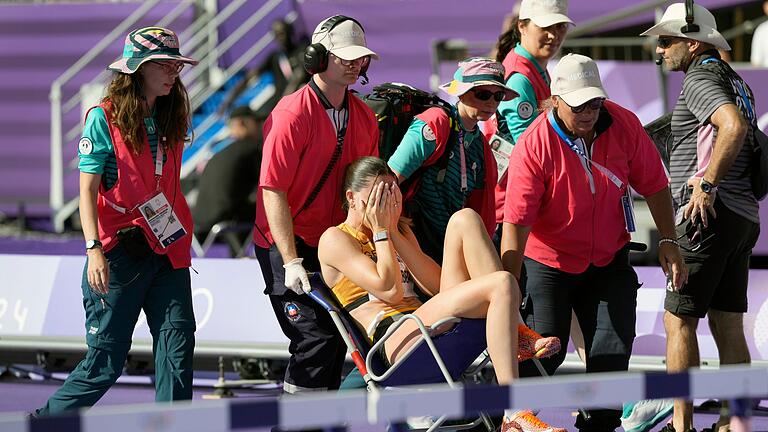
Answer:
x=299 y=142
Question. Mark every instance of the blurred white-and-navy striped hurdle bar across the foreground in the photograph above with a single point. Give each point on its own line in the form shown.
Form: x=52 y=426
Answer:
x=366 y=409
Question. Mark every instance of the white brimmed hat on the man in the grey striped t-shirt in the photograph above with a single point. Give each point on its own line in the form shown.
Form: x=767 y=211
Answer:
x=673 y=21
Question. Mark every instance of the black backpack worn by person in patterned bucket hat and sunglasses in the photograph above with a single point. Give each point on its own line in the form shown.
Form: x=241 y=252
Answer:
x=395 y=106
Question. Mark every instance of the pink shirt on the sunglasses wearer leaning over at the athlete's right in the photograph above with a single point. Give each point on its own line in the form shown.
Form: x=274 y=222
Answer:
x=548 y=189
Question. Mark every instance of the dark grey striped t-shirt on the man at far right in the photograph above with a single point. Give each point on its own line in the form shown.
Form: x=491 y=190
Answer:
x=709 y=84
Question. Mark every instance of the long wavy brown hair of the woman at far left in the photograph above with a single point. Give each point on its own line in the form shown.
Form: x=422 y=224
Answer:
x=128 y=110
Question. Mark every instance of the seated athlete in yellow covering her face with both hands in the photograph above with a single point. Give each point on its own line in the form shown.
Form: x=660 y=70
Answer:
x=372 y=261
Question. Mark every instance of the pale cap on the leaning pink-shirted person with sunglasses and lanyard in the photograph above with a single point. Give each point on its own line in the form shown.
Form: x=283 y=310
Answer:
x=576 y=80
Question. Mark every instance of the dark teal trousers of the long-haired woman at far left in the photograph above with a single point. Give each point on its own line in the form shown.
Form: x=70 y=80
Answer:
x=164 y=293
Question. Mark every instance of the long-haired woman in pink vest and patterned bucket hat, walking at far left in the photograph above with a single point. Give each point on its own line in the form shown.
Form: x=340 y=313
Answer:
x=136 y=223
